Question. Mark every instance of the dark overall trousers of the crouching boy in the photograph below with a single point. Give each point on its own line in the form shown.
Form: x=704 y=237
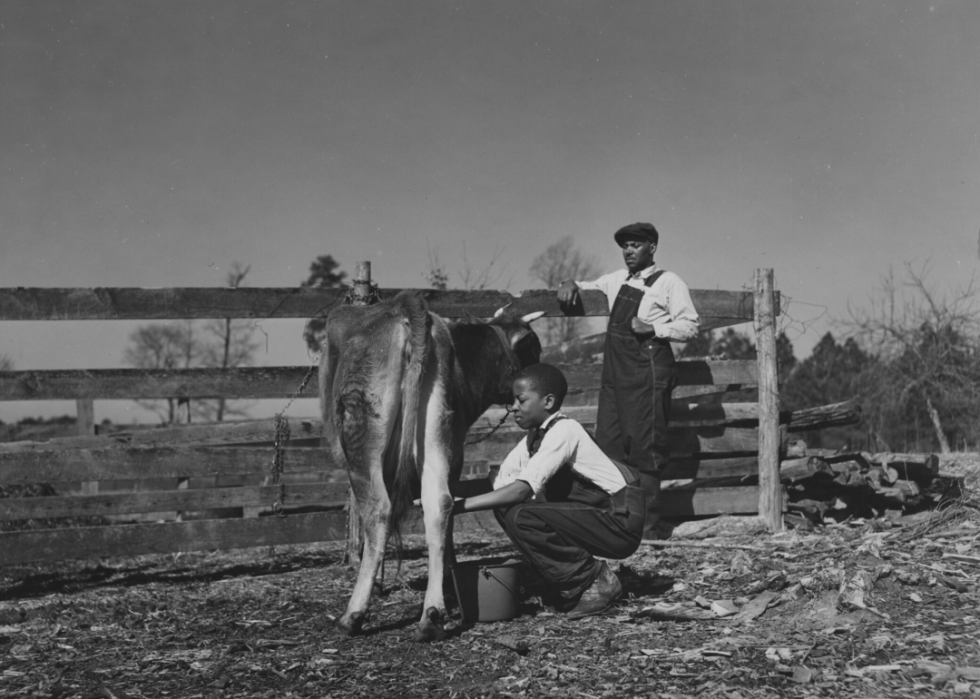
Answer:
x=559 y=539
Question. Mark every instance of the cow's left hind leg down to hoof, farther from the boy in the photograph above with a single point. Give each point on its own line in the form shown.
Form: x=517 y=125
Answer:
x=373 y=507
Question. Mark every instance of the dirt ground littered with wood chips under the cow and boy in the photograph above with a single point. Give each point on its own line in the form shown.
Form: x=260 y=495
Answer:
x=864 y=609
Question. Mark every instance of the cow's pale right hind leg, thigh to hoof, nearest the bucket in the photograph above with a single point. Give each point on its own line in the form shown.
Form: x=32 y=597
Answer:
x=437 y=505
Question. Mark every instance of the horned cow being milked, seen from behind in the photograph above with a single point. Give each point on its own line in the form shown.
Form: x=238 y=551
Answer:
x=399 y=388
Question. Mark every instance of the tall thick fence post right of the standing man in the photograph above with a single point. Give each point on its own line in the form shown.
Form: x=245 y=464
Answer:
x=770 y=489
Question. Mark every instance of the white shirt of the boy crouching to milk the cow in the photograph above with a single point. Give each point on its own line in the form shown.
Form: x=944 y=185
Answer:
x=566 y=442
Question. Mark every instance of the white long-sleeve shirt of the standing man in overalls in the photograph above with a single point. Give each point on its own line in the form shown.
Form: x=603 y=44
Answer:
x=666 y=304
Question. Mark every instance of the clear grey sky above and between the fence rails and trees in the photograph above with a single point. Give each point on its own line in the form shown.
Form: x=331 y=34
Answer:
x=155 y=144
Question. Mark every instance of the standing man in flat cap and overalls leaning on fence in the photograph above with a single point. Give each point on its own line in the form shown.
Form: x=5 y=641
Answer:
x=649 y=308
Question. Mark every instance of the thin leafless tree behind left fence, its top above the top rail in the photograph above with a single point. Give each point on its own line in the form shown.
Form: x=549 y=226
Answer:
x=232 y=346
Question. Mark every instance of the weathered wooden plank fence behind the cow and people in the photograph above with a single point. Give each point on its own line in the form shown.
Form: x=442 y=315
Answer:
x=732 y=440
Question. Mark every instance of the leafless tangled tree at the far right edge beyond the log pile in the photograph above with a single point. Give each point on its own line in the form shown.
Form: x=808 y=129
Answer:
x=927 y=347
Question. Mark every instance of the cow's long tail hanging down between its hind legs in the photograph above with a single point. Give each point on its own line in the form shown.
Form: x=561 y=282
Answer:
x=416 y=358
